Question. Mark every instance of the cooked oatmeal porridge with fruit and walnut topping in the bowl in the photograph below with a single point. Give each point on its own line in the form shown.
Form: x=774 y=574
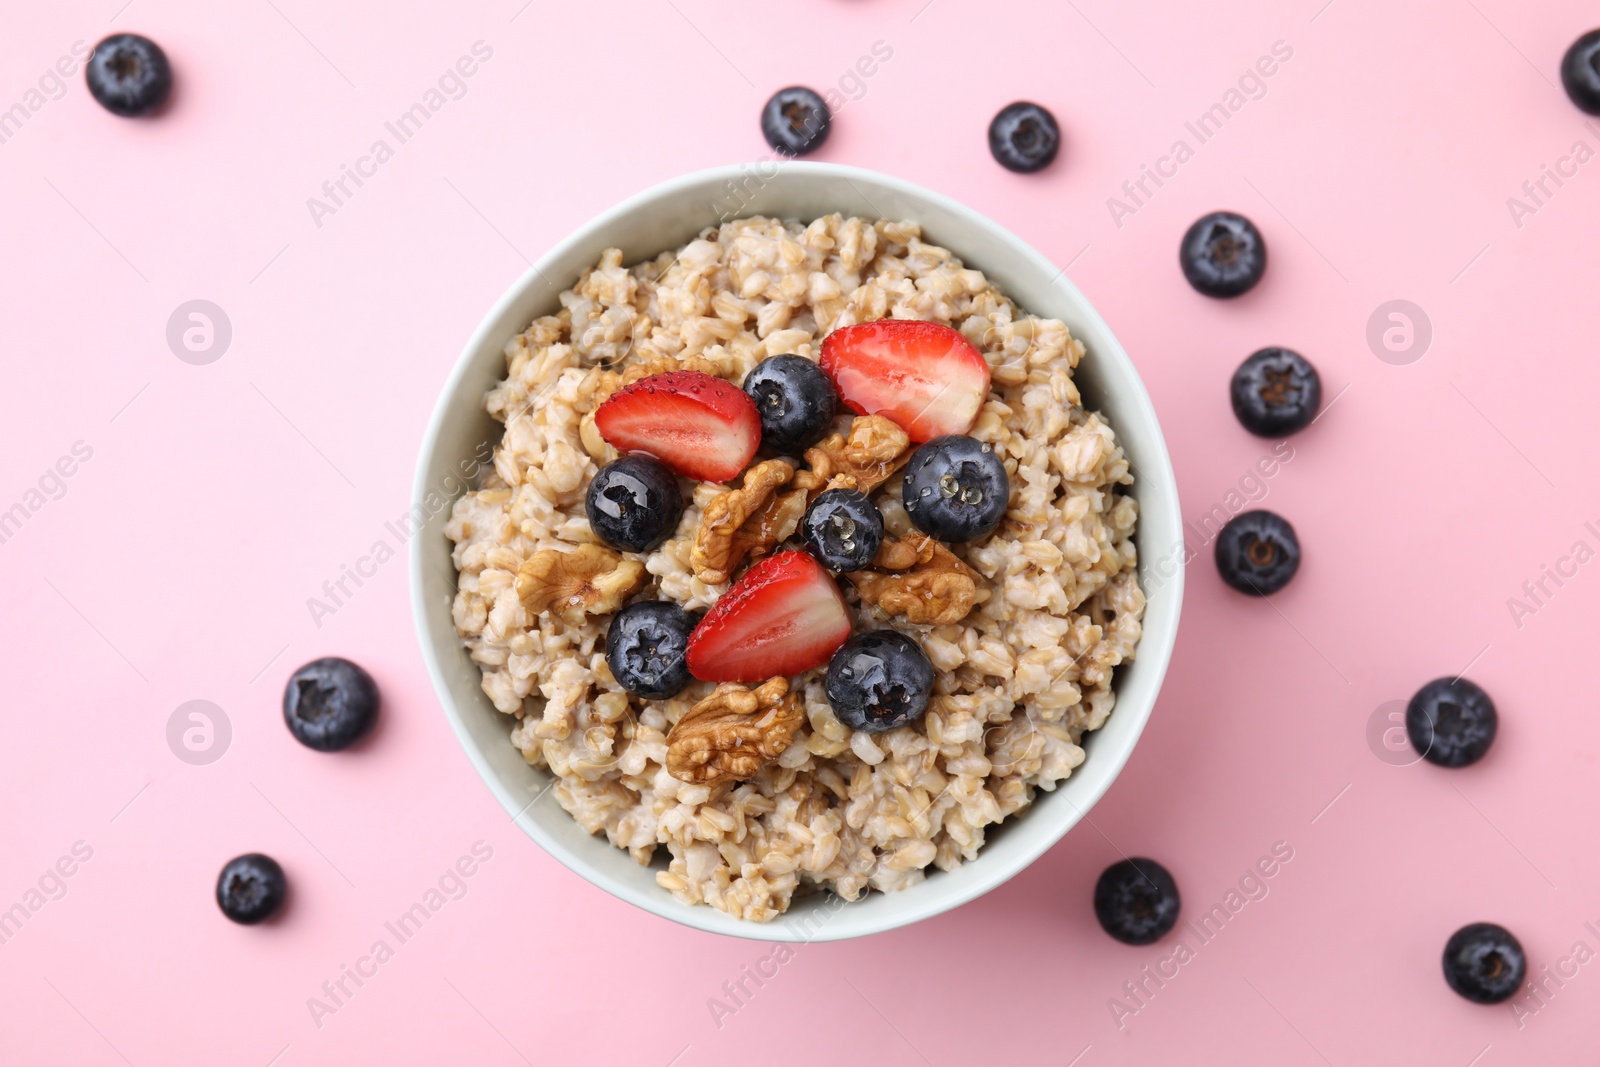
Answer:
x=751 y=781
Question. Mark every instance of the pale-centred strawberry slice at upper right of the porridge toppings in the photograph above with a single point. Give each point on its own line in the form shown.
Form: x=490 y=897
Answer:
x=927 y=378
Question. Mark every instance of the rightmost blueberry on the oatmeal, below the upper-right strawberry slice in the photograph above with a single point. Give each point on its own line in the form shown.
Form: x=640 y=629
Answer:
x=956 y=489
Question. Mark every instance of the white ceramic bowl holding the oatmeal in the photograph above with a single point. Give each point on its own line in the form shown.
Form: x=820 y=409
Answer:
x=666 y=218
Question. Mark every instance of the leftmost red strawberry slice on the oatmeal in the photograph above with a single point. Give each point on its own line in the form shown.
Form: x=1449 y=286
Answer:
x=698 y=425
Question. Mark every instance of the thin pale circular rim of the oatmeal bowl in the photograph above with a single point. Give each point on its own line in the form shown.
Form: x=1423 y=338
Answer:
x=1158 y=476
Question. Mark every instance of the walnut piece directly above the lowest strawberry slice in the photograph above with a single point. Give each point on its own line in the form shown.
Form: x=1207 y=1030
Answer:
x=746 y=524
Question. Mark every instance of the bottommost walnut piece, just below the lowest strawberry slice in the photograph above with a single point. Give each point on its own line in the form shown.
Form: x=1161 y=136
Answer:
x=734 y=733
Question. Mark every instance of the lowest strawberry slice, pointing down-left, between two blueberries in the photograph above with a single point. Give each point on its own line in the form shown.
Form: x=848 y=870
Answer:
x=783 y=618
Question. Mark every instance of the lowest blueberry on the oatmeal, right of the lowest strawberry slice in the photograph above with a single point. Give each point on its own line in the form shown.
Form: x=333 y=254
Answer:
x=879 y=681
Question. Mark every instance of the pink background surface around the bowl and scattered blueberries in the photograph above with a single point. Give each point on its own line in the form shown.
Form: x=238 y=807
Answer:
x=220 y=498
